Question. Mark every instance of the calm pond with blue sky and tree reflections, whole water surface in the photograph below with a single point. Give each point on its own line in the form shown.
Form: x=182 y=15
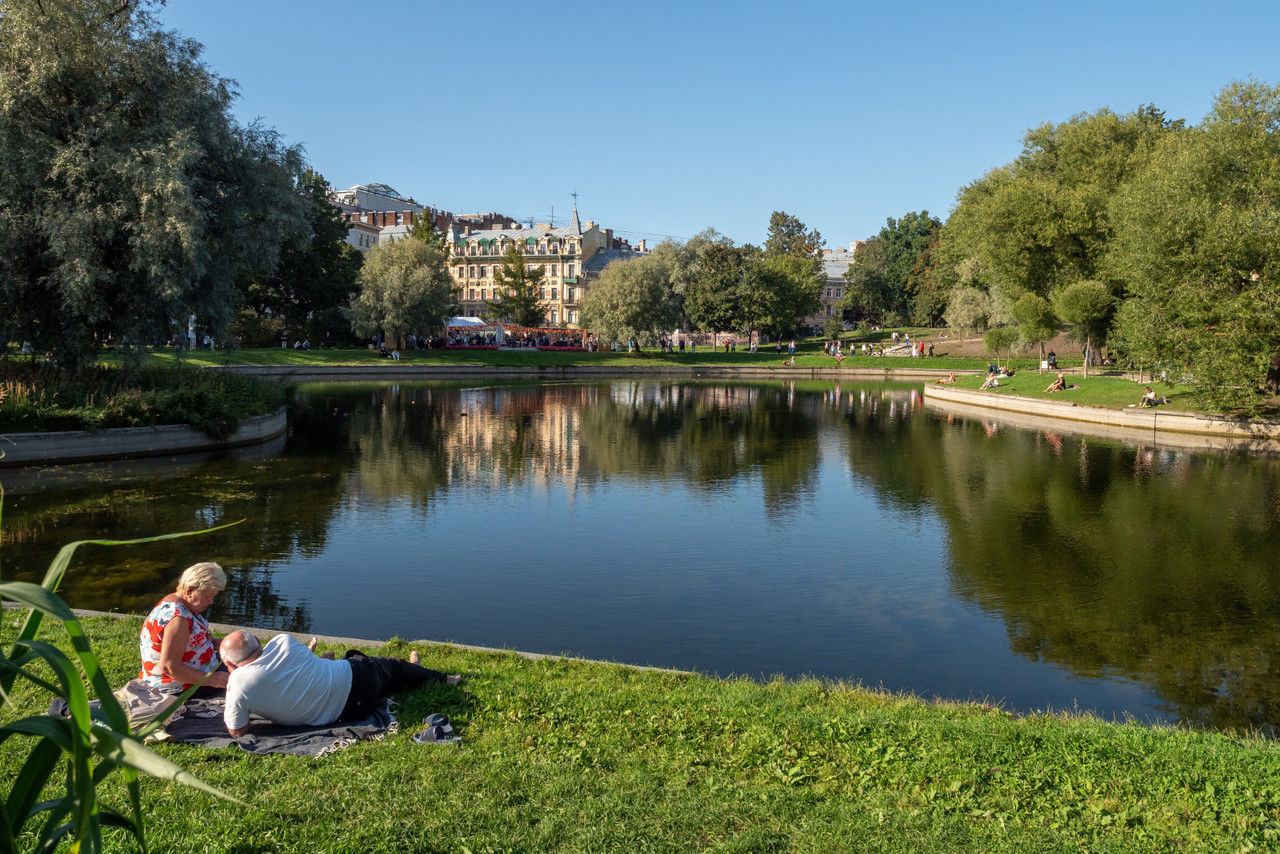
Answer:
x=842 y=531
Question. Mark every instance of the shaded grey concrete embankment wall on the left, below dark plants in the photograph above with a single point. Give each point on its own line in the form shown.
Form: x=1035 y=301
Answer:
x=83 y=446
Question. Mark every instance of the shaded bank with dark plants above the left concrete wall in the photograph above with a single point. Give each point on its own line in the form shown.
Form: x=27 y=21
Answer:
x=36 y=398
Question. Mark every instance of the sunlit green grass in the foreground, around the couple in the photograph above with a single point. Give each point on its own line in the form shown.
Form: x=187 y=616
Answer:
x=568 y=757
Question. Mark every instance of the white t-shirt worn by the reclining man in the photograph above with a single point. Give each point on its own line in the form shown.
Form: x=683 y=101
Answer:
x=287 y=684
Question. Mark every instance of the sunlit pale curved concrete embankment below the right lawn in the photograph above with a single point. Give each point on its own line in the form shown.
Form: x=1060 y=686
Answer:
x=1154 y=426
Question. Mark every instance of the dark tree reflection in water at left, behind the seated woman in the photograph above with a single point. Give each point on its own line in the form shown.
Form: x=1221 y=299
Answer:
x=287 y=505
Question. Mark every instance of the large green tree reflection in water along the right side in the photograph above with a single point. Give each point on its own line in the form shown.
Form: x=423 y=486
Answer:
x=1153 y=565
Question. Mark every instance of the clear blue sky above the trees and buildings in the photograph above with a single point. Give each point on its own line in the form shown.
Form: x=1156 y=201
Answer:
x=668 y=118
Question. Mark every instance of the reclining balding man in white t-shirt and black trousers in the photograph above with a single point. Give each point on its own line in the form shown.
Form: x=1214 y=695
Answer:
x=287 y=683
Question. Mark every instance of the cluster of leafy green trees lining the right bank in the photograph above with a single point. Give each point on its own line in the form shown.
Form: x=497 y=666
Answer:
x=1149 y=236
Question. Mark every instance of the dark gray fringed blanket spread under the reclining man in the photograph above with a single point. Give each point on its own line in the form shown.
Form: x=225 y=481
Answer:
x=202 y=725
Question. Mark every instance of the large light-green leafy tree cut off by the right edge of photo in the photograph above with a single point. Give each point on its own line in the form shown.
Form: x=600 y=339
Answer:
x=1199 y=248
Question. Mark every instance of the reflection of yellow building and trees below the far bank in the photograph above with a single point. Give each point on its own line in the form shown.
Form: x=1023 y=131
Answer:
x=414 y=442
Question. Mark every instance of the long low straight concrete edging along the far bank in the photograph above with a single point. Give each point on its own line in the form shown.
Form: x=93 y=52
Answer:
x=406 y=373
